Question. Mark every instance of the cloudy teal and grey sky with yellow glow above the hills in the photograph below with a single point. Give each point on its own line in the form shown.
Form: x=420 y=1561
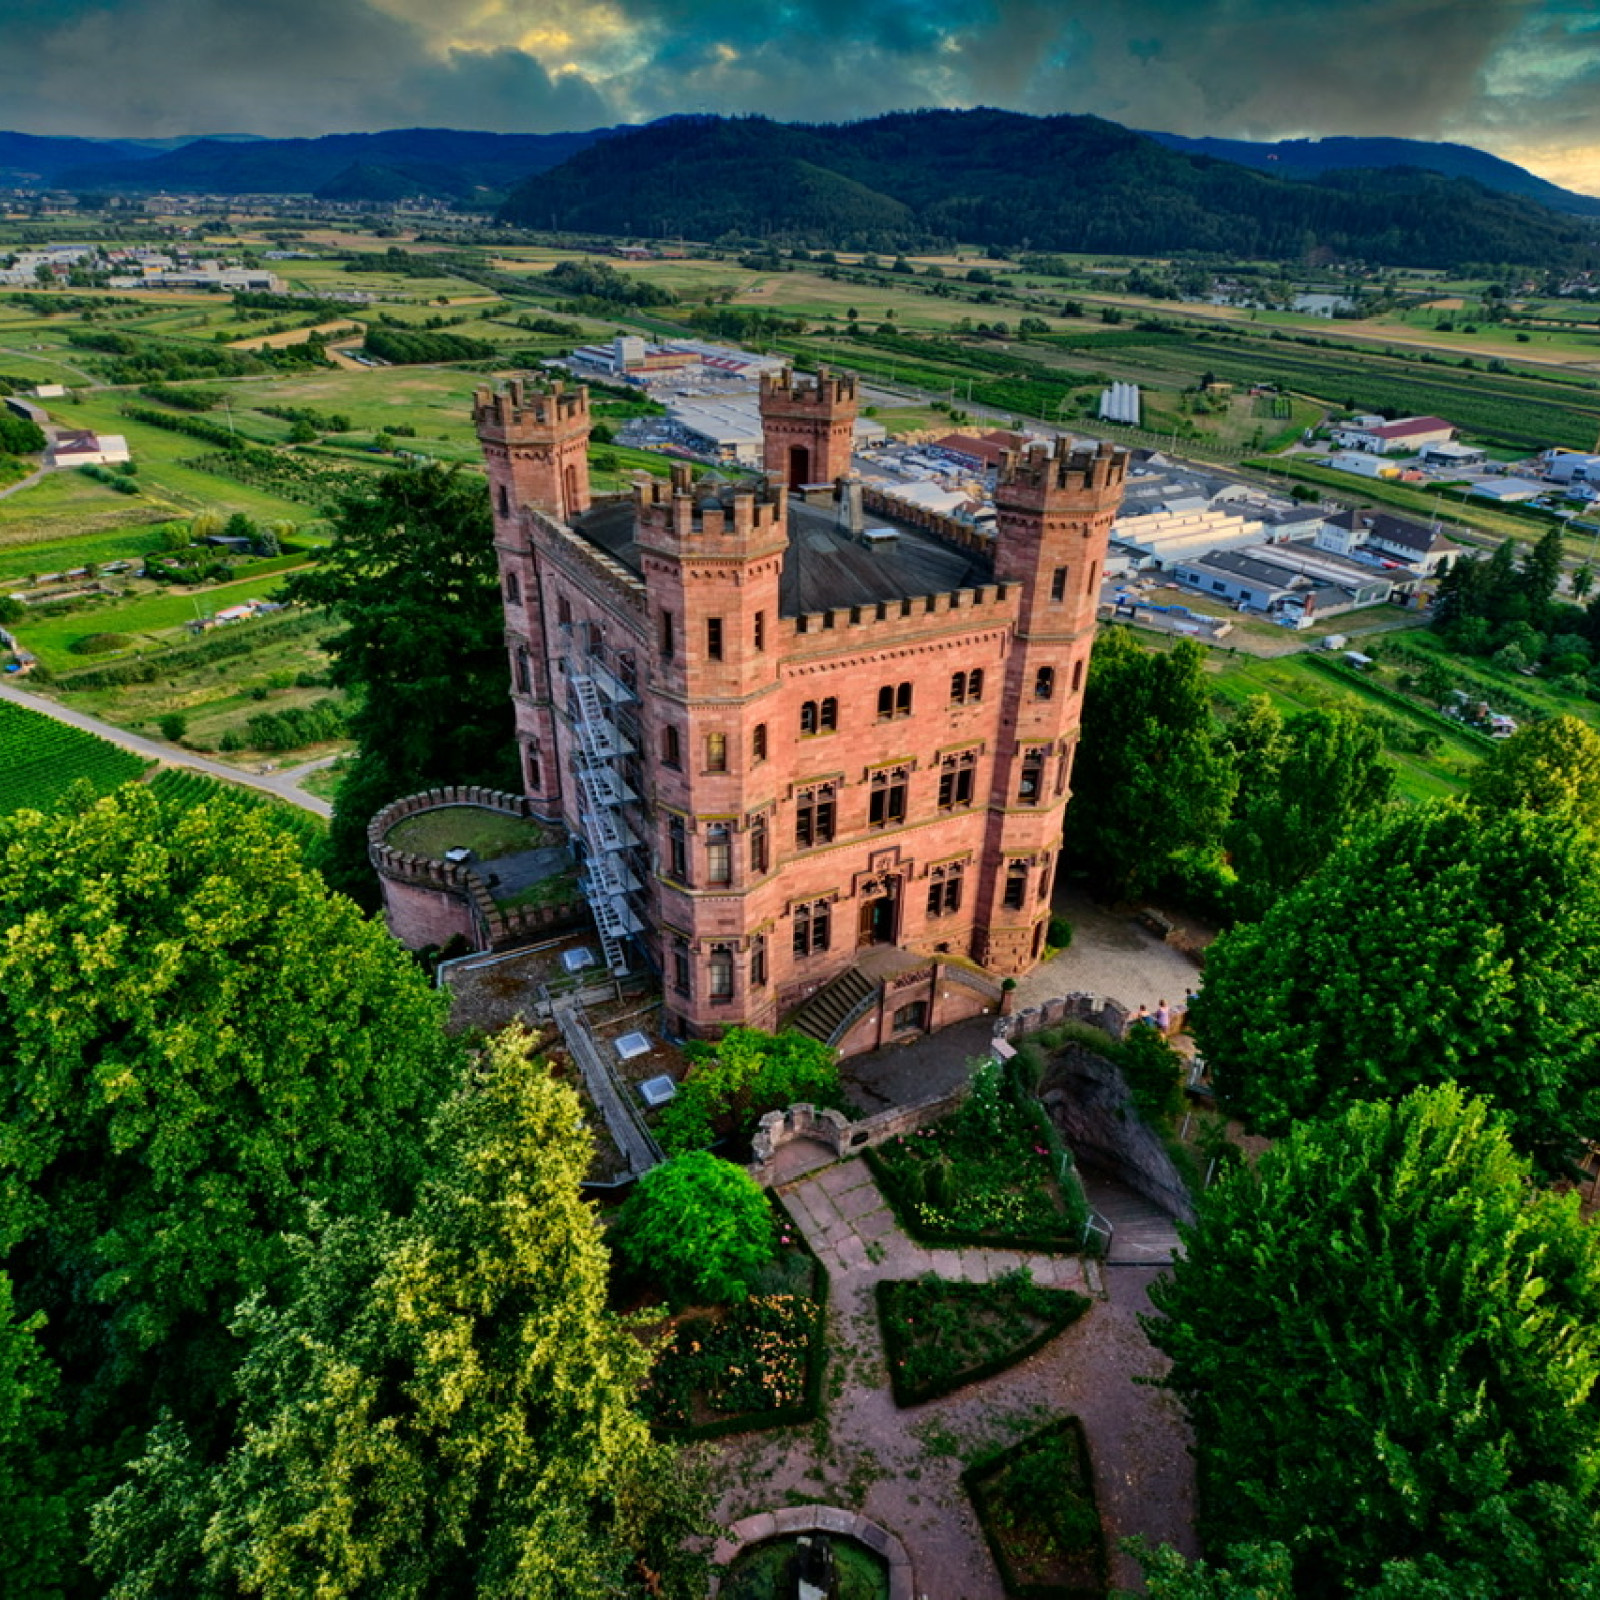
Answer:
x=1519 y=78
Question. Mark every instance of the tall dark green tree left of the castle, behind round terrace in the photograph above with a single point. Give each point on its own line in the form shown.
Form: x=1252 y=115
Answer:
x=414 y=578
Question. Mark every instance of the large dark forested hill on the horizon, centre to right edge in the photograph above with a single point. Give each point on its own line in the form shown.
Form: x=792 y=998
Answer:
x=1025 y=183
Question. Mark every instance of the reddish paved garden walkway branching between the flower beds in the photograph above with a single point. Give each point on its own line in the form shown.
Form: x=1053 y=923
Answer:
x=902 y=1468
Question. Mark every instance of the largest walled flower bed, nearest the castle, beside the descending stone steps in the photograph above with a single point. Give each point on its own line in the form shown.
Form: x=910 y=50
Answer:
x=993 y=1174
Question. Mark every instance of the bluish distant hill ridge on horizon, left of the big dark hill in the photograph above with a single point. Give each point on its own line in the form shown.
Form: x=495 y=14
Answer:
x=444 y=162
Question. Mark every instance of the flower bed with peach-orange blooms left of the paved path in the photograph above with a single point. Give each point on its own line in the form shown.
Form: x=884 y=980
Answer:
x=753 y=1366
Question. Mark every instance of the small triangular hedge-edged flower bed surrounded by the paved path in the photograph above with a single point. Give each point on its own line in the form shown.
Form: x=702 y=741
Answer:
x=942 y=1335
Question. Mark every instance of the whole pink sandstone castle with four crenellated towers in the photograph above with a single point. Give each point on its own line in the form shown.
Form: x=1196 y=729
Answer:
x=788 y=735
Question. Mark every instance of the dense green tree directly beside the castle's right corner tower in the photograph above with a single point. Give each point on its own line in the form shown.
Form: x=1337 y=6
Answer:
x=1151 y=785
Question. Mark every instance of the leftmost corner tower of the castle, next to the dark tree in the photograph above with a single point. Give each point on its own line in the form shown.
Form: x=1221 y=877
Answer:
x=537 y=447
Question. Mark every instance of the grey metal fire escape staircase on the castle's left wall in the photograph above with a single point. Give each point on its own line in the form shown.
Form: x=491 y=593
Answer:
x=602 y=794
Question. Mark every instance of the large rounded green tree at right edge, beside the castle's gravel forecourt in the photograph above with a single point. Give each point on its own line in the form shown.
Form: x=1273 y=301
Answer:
x=1441 y=943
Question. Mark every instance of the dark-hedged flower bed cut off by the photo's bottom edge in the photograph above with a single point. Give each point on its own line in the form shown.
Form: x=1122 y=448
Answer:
x=1036 y=1505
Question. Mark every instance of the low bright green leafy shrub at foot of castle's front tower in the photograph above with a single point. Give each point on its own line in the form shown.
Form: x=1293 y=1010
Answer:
x=743 y=1076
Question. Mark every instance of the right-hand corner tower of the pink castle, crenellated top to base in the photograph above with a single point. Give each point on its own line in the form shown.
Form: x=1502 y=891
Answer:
x=1055 y=508
